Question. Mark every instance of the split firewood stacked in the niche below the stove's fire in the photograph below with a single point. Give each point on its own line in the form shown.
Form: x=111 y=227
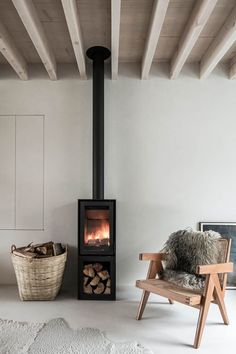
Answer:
x=97 y=280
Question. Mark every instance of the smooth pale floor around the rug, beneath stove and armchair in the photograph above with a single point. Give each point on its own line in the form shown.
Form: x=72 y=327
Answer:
x=164 y=328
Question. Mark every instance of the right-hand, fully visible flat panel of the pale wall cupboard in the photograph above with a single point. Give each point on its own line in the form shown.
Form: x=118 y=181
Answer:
x=29 y=172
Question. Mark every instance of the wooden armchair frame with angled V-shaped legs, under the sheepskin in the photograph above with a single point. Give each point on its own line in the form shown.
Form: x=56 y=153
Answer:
x=214 y=291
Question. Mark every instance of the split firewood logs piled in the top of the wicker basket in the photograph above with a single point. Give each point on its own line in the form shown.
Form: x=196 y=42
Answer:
x=41 y=250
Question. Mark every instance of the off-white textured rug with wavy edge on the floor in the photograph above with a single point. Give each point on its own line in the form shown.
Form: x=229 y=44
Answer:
x=56 y=337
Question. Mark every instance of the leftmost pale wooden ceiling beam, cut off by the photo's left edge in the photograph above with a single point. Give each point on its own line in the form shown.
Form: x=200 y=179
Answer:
x=12 y=54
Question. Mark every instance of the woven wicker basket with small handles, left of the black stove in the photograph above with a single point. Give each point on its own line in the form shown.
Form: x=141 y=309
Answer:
x=39 y=278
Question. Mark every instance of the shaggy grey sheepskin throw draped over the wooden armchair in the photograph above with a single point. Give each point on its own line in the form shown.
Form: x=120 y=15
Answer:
x=186 y=249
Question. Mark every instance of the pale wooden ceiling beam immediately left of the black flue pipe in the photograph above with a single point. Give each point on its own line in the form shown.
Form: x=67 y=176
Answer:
x=73 y=23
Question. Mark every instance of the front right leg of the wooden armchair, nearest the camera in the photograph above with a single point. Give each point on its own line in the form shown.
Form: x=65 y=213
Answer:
x=203 y=312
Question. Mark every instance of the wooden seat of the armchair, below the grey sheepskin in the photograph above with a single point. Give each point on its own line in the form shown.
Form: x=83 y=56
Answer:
x=171 y=291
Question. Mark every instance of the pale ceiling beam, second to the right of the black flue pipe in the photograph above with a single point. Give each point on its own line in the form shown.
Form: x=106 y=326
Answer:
x=157 y=19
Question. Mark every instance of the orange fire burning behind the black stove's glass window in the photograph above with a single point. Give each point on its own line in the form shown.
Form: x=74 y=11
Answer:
x=97 y=228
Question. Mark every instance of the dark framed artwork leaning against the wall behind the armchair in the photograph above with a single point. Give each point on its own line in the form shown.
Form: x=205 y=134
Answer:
x=227 y=230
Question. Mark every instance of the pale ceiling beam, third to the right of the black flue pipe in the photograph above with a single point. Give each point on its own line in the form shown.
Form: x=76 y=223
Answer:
x=197 y=21
